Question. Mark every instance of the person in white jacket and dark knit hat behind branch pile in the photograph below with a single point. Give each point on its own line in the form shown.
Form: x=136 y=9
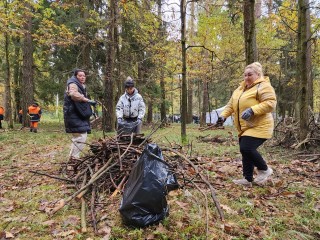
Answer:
x=130 y=107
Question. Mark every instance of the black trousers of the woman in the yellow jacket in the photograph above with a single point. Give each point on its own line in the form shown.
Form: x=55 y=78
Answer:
x=250 y=156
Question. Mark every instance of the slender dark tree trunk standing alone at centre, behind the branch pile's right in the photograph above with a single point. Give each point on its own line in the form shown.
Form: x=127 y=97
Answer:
x=184 y=92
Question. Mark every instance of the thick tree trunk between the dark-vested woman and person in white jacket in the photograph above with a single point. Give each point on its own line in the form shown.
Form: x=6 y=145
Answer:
x=109 y=111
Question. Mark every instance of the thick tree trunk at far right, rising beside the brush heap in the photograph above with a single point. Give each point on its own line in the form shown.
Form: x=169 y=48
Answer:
x=304 y=64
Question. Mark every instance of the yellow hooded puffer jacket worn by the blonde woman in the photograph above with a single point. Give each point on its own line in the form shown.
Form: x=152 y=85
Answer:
x=262 y=100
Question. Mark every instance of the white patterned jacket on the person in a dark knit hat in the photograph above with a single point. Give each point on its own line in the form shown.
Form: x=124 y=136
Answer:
x=131 y=106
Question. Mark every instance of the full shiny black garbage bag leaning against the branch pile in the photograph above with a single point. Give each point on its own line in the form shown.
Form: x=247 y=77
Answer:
x=144 y=198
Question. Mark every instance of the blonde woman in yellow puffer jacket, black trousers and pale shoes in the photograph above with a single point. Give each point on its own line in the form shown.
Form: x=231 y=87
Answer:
x=251 y=104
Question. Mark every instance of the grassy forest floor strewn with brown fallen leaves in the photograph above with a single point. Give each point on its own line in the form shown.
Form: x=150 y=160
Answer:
x=288 y=207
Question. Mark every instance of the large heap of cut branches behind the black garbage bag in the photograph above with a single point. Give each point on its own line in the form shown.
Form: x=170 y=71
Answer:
x=105 y=170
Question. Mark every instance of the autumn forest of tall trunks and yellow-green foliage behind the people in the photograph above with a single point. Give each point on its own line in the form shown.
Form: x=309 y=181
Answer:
x=186 y=57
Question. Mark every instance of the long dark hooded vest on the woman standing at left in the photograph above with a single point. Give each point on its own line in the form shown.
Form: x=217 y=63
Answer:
x=74 y=123
